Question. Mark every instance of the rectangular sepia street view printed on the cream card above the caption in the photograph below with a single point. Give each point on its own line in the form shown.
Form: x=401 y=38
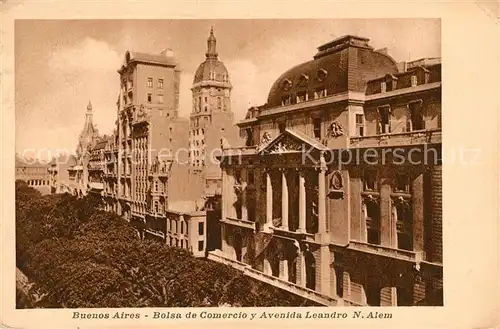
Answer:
x=228 y=163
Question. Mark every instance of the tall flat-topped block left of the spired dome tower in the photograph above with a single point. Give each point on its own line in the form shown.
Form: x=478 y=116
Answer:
x=150 y=133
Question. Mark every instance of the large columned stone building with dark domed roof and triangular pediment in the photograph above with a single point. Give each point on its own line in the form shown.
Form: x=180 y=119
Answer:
x=337 y=194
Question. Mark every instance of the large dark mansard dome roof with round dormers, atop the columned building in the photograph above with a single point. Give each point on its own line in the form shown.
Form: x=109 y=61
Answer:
x=344 y=64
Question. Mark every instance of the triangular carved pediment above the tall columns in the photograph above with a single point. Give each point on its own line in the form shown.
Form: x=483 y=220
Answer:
x=290 y=142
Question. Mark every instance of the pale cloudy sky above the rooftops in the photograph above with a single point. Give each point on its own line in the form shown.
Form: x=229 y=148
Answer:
x=61 y=65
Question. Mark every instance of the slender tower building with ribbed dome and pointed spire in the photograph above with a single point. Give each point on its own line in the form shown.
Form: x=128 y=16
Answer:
x=211 y=119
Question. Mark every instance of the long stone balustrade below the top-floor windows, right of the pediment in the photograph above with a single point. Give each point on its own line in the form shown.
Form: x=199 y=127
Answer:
x=398 y=139
